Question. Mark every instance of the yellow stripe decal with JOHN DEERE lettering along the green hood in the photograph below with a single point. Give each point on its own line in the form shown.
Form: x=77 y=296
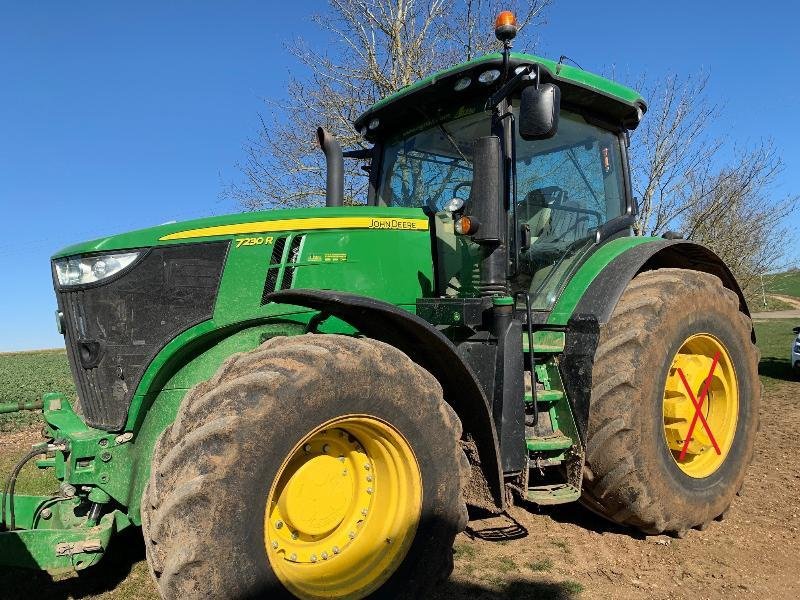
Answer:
x=303 y=224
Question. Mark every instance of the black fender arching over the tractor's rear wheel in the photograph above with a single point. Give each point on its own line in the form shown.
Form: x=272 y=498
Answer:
x=600 y=298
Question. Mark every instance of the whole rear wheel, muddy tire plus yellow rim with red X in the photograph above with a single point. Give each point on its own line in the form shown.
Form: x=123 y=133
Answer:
x=670 y=327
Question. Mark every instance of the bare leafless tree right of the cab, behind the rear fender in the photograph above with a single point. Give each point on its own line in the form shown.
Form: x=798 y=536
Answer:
x=689 y=181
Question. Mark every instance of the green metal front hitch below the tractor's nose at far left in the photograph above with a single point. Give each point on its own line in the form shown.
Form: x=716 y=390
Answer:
x=70 y=530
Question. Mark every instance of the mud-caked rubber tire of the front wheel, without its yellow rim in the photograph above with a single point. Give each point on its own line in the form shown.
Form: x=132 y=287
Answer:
x=203 y=507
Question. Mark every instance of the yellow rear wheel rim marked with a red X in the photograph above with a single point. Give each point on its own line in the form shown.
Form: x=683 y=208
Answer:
x=705 y=450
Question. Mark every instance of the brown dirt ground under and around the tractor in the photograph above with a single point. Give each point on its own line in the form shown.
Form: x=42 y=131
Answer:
x=566 y=552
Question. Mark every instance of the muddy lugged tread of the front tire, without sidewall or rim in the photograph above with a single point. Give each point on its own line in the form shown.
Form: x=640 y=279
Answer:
x=196 y=456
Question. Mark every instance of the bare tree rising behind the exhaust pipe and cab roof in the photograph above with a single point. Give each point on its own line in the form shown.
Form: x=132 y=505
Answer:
x=377 y=47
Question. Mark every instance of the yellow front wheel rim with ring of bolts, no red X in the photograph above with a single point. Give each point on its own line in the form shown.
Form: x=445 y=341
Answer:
x=343 y=509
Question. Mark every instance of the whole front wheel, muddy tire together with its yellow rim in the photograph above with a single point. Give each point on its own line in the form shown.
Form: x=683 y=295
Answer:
x=316 y=466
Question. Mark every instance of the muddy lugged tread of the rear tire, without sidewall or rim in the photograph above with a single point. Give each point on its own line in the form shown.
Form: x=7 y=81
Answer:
x=616 y=488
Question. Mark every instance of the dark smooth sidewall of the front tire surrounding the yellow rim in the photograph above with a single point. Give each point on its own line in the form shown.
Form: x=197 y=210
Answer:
x=271 y=435
